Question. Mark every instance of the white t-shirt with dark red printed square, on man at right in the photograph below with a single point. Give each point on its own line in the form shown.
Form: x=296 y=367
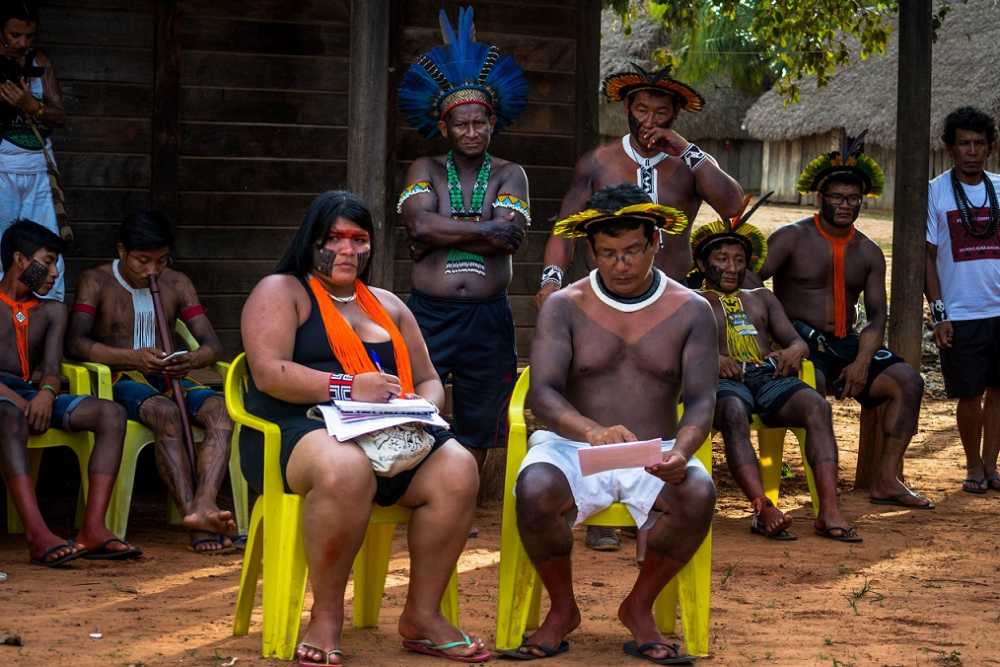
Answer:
x=969 y=268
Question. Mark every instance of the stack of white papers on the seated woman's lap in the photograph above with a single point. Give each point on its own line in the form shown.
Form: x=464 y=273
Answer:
x=346 y=420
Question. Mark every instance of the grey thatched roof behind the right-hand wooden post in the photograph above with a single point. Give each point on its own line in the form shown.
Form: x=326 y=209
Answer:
x=966 y=71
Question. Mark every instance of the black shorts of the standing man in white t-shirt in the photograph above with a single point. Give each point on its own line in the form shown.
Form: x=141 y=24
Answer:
x=972 y=363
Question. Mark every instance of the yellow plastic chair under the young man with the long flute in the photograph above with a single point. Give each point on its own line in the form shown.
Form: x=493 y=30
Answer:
x=138 y=436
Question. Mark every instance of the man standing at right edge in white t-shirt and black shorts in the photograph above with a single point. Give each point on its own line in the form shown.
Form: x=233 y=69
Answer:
x=963 y=288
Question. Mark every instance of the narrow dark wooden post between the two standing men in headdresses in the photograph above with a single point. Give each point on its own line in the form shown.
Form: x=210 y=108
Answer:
x=588 y=73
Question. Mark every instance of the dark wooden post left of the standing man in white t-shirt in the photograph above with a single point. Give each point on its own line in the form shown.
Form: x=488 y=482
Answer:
x=913 y=120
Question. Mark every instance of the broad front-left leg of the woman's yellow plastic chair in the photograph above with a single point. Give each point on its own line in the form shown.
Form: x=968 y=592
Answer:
x=285 y=574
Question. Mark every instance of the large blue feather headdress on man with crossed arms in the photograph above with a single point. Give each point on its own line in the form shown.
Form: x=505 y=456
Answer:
x=463 y=71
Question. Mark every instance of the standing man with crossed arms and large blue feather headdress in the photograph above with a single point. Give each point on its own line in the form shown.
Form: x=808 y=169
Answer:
x=466 y=212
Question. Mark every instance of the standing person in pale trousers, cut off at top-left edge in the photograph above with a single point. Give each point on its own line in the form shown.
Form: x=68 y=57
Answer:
x=29 y=95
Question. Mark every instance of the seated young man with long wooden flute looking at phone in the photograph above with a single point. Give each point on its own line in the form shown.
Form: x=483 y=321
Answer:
x=114 y=323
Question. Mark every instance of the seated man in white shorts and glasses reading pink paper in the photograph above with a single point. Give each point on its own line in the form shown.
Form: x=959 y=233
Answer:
x=611 y=354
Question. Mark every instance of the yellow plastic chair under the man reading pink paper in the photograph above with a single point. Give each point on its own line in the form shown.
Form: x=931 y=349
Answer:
x=519 y=597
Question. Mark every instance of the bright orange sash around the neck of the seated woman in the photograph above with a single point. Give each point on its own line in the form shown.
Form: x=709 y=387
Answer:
x=347 y=346
